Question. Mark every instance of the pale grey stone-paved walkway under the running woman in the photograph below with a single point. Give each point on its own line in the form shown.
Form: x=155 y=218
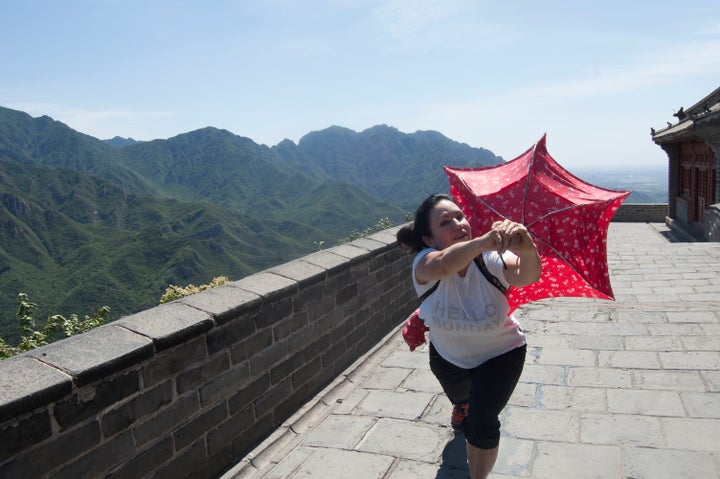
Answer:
x=623 y=389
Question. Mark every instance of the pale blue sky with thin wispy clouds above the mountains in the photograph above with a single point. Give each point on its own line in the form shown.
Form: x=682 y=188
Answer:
x=594 y=75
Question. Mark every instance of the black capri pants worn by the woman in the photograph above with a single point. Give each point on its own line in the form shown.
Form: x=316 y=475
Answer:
x=486 y=388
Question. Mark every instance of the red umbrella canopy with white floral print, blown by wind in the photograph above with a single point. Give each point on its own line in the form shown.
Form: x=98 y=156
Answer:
x=567 y=218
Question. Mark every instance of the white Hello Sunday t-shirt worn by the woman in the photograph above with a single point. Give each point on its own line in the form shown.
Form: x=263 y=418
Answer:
x=467 y=316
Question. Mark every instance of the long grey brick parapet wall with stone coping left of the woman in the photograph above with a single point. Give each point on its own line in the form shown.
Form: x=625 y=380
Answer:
x=186 y=388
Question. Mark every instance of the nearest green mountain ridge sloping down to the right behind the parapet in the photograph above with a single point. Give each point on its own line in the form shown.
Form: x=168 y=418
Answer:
x=74 y=242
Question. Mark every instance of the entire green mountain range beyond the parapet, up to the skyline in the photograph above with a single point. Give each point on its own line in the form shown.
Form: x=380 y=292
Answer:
x=85 y=222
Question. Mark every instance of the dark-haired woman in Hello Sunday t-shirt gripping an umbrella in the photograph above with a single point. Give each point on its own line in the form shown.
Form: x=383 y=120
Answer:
x=477 y=351
